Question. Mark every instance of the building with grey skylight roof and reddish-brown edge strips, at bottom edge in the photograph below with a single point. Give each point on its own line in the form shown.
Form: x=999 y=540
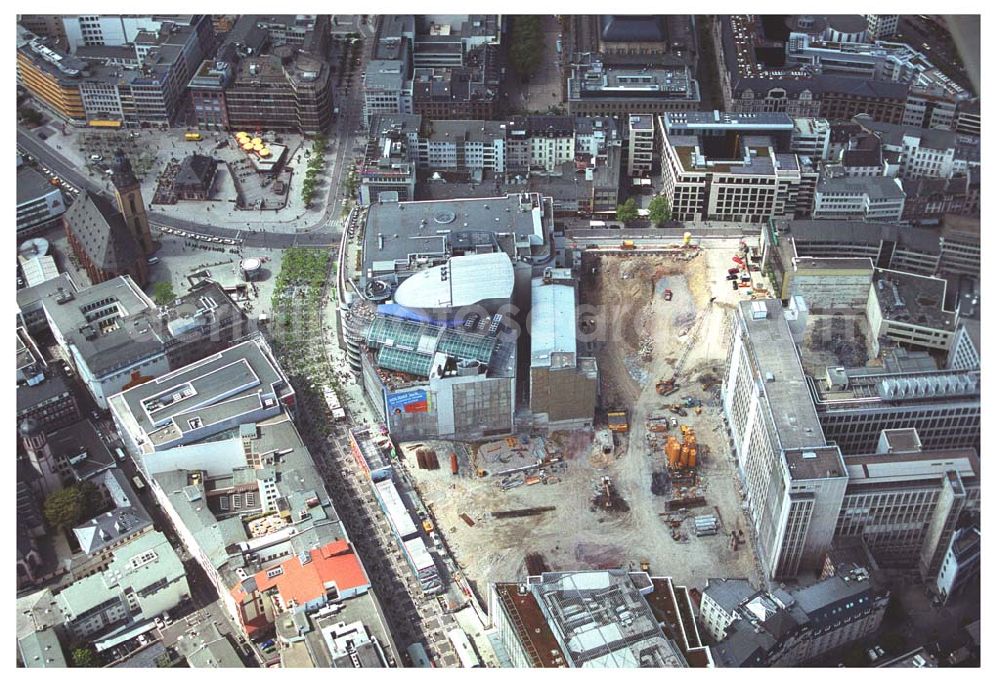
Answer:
x=575 y=620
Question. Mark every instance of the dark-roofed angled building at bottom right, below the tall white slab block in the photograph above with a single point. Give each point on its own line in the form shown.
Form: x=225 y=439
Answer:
x=790 y=627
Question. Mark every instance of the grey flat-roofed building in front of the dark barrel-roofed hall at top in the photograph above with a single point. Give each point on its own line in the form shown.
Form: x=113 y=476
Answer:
x=596 y=88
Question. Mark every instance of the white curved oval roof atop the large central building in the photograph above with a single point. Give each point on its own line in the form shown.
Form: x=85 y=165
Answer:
x=462 y=281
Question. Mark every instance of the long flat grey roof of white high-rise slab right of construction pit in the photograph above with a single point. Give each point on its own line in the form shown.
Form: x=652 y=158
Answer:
x=777 y=361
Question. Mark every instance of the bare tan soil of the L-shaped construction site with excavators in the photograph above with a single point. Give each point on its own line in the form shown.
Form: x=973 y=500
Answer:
x=647 y=336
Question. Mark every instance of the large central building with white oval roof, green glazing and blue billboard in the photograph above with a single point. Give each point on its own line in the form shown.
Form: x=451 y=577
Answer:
x=421 y=376
